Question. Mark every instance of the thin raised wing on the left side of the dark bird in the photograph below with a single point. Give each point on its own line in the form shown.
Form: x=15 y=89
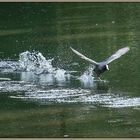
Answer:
x=84 y=57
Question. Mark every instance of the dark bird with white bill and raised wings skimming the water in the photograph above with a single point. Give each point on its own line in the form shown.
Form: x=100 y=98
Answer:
x=100 y=67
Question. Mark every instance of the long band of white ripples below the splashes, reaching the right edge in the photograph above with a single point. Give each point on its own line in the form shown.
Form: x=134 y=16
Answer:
x=66 y=95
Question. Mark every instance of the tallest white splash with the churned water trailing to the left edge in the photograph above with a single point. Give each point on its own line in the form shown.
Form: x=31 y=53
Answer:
x=28 y=62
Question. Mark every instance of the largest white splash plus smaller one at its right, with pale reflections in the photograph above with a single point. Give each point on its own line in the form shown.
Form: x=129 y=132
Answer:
x=35 y=62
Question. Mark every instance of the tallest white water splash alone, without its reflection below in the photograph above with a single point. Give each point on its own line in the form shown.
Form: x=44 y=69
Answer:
x=35 y=62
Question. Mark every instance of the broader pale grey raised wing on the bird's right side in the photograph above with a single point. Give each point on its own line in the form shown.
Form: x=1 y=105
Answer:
x=117 y=54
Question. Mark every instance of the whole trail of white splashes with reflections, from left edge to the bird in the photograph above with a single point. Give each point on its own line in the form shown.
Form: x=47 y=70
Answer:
x=34 y=67
